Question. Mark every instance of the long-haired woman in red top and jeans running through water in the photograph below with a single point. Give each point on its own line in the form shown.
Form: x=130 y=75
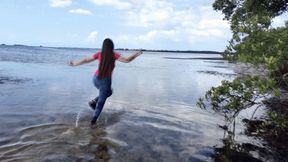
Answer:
x=102 y=78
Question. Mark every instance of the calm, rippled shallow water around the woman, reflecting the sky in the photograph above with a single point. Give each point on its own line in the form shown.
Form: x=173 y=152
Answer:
x=151 y=115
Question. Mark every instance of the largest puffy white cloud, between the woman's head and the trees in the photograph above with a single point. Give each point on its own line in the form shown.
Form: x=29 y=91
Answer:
x=164 y=13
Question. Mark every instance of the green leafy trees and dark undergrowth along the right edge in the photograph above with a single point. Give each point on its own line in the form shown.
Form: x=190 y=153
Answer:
x=256 y=42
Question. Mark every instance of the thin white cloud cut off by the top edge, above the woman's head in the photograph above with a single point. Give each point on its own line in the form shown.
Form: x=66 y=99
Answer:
x=114 y=3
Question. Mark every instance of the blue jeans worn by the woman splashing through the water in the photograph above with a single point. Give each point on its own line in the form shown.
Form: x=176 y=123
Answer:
x=105 y=91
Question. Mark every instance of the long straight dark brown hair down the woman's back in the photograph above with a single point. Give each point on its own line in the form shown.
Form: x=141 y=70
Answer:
x=107 y=62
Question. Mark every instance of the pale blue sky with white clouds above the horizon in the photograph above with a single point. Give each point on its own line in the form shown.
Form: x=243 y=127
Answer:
x=146 y=24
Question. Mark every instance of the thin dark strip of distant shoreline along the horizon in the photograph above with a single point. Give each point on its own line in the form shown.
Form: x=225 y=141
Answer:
x=127 y=49
